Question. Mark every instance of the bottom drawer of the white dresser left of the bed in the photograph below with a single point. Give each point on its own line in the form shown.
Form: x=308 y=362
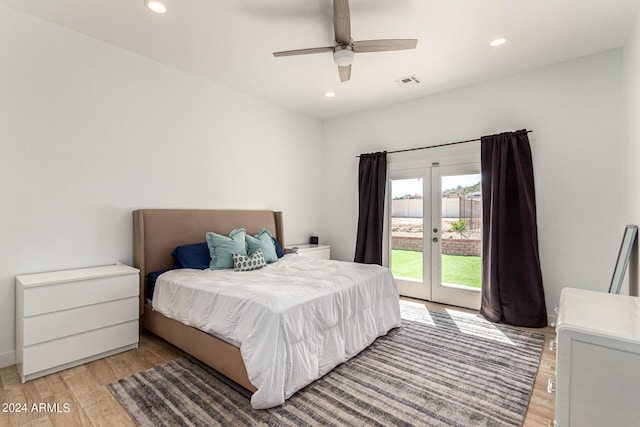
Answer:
x=74 y=349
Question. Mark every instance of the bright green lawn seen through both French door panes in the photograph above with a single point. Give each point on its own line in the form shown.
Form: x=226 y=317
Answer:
x=461 y=270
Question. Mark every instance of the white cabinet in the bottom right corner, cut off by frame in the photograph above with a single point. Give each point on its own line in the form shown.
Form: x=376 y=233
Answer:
x=597 y=360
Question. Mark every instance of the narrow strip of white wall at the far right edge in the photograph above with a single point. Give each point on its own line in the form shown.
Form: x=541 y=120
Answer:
x=632 y=150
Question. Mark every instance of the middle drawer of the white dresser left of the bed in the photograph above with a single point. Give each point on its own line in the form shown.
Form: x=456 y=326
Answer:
x=46 y=327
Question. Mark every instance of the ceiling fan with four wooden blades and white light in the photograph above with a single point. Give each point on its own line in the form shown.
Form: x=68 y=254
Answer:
x=345 y=46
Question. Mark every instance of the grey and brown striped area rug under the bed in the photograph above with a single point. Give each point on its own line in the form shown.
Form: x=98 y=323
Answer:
x=441 y=368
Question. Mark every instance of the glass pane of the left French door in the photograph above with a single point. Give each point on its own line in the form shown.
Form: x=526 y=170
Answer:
x=407 y=228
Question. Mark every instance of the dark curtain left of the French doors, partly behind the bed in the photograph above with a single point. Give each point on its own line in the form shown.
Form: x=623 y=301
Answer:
x=372 y=181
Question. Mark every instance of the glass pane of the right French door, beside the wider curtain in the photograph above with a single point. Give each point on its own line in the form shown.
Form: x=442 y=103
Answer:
x=461 y=227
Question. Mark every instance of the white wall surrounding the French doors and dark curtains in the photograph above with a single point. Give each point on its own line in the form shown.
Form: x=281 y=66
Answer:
x=575 y=110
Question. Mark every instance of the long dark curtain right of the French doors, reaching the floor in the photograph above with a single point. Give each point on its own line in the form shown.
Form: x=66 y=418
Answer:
x=512 y=289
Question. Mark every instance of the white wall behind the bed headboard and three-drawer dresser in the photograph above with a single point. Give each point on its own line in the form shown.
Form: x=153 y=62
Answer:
x=89 y=132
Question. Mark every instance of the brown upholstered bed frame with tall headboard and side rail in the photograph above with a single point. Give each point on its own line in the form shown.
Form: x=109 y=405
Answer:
x=156 y=234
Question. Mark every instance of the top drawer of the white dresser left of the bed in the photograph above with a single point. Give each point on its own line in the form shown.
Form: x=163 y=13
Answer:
x=64 y=296
